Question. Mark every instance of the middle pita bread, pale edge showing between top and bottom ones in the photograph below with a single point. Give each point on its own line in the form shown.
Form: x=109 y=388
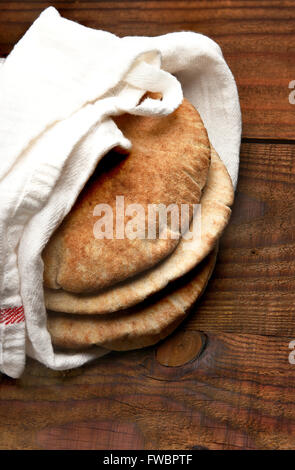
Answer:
x=215 y=202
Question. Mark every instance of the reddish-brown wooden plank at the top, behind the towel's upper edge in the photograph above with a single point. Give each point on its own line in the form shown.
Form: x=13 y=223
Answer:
x=257 y=38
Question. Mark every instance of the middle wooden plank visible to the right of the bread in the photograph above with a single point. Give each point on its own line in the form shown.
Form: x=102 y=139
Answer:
x=253 y=286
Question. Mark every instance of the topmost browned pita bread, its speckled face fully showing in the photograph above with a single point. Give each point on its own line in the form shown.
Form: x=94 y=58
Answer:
x=168 y=164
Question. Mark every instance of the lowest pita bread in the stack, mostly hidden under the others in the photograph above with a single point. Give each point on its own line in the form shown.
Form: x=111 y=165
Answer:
x=138 y=327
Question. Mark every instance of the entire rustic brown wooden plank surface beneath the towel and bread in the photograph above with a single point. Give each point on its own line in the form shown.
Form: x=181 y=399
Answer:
x=236 y=387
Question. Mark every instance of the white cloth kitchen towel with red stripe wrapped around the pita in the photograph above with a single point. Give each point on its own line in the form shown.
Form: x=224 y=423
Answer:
x=58 y=88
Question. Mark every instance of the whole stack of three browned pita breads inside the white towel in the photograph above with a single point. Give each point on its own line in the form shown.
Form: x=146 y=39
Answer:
x=125 y=293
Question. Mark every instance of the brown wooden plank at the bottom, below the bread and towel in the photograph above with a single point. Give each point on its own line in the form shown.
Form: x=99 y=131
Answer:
x=238 y=394
